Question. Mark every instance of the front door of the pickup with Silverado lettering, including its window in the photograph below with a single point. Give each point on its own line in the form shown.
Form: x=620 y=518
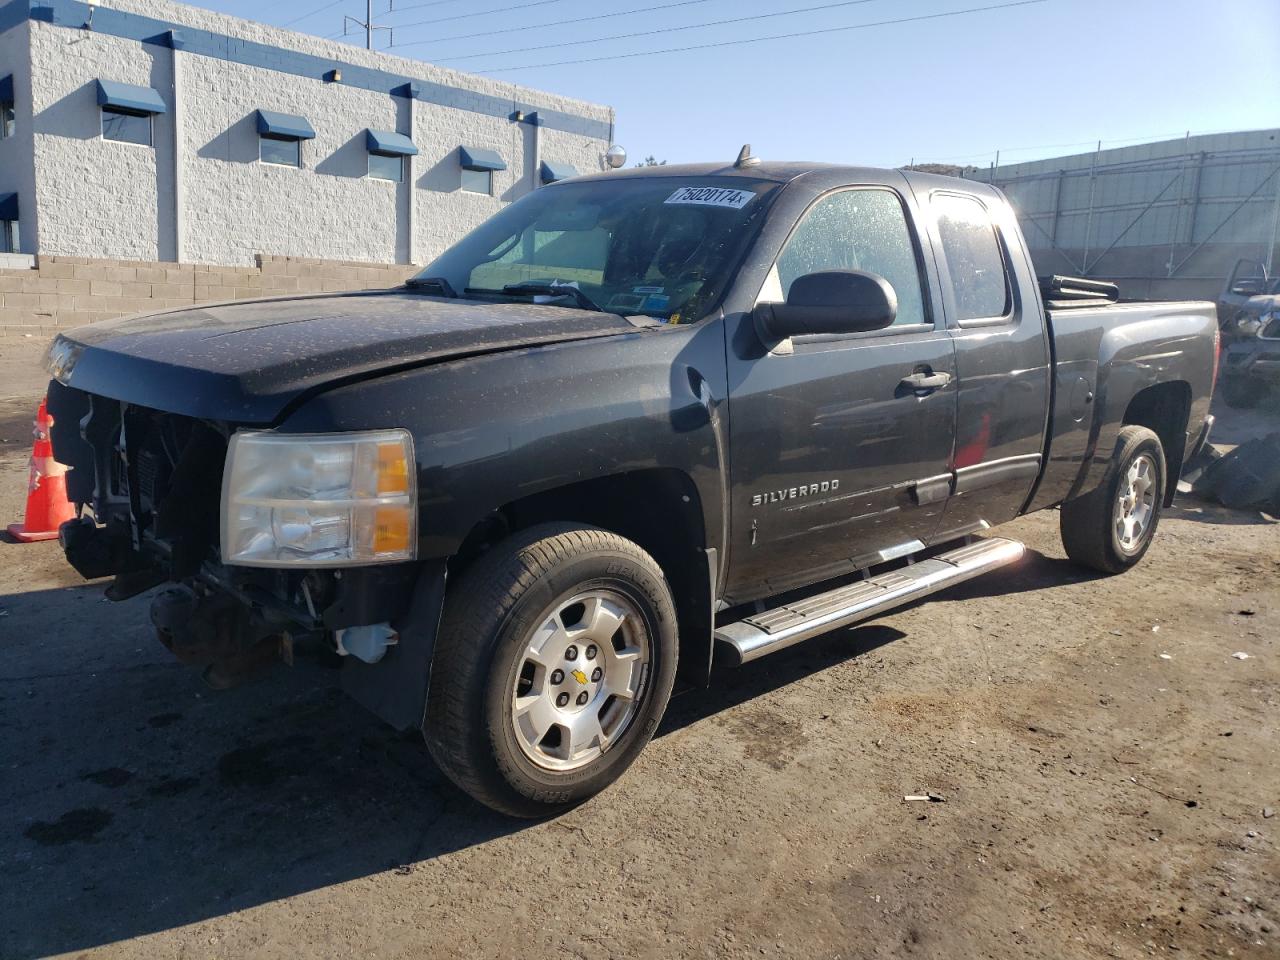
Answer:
x=838 y=463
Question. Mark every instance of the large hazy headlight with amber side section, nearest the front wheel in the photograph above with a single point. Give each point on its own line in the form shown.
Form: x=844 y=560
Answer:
x=319 y=500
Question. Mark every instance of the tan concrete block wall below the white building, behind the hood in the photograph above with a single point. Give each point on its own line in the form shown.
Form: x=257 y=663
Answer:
x=62 y=292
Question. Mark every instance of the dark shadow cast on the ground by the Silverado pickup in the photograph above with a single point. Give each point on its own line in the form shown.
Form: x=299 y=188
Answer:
x=139 y=802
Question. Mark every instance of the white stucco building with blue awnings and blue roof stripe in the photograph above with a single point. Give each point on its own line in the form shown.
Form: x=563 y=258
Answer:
x=159 y=134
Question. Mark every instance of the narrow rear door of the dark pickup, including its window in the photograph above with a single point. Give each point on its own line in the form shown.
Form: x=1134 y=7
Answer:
x=1002 y=359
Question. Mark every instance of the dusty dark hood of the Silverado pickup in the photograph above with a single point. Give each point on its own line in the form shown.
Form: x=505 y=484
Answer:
x=248 y=362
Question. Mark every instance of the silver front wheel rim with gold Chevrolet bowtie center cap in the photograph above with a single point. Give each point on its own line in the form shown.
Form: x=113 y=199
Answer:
x=580 y=680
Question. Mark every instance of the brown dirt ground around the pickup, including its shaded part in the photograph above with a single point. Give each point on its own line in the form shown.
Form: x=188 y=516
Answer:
x=1104 y=760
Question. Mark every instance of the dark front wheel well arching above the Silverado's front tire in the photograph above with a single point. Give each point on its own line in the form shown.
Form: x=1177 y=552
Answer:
x=660 y=510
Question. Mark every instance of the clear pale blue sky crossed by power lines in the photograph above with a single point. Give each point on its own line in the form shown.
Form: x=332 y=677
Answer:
x=1043 y=79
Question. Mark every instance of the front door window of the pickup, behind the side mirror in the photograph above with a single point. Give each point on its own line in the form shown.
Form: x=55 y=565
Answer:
x=856 y=230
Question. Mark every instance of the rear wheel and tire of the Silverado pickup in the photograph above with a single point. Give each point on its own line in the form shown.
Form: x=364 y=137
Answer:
x=1094 y=529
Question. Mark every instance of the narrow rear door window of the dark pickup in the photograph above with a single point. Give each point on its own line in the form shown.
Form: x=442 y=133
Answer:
x=972 y=249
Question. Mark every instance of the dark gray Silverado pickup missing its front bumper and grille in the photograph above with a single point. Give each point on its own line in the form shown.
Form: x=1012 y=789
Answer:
x=636 y=423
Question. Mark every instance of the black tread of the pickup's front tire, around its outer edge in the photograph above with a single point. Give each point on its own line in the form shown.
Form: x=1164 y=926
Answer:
x=496 y=584
